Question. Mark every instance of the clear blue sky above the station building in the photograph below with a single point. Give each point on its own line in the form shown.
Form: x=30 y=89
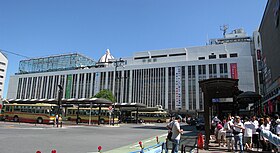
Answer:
x=36 y=28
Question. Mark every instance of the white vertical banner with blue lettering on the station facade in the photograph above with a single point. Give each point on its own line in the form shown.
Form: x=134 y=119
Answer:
x=178 y=88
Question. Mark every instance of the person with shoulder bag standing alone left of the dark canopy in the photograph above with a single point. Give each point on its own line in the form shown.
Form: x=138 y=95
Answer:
x=174 y=126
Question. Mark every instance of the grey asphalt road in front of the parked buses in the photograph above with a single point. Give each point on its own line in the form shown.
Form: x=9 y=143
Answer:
x=28 y=138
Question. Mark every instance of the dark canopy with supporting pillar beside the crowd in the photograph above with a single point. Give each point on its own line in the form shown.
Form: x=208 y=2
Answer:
x=216 y=88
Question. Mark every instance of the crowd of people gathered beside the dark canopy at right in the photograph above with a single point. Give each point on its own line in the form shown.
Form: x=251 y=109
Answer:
x=241 y=133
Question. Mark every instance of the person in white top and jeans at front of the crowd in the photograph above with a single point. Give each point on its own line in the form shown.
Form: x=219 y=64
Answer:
x=238 y=128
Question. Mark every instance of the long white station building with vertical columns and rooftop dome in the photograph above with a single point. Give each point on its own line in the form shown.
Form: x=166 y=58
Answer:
x=167 y=78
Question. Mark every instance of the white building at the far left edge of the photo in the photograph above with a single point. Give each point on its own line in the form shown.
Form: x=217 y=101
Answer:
x=3 y=71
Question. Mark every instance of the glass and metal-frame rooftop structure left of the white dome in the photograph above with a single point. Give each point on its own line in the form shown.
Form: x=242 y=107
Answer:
x=55 y=63
